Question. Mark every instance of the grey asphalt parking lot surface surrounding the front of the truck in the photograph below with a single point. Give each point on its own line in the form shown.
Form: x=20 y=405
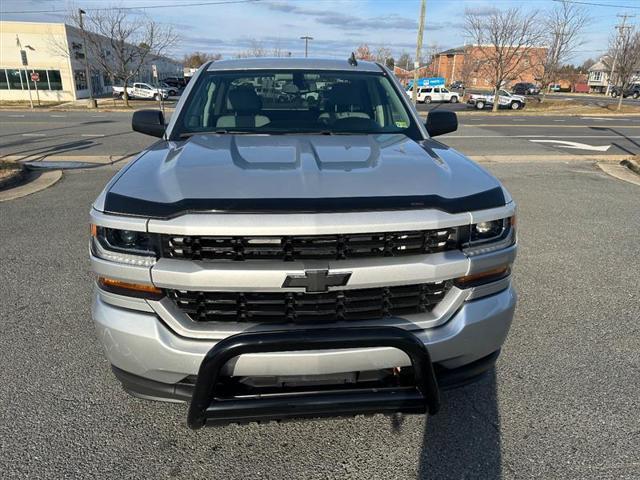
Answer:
x=563 y=402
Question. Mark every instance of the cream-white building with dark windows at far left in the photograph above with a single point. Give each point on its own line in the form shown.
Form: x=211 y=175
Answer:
x=55 y=52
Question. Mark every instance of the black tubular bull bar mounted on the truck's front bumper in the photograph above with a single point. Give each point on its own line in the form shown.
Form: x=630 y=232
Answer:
x=206 y=407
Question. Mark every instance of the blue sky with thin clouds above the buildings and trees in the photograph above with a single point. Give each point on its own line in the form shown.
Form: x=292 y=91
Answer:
x=337 y=26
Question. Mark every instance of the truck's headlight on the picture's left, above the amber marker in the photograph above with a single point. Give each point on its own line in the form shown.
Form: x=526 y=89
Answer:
x=124 y=246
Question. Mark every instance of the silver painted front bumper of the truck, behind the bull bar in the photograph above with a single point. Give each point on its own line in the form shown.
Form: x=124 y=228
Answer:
x=140 y=343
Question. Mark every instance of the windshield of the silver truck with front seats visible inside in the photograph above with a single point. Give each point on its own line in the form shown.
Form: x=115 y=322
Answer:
x=327 y=102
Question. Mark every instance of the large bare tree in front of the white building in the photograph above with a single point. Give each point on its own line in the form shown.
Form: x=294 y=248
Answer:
x=121 y=44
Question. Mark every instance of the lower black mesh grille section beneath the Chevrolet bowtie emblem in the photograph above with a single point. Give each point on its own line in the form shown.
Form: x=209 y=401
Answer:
x=300 y=307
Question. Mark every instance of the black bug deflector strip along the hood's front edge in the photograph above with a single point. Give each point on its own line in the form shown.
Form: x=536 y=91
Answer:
x=125 y=205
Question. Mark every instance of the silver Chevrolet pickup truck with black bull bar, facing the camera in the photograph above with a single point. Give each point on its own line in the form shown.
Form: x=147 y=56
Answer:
x=312 y=256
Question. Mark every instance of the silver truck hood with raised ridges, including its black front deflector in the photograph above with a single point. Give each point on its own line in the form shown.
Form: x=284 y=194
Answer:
x=223 y=172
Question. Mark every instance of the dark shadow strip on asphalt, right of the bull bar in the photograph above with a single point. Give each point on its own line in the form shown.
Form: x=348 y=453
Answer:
x=463 y=440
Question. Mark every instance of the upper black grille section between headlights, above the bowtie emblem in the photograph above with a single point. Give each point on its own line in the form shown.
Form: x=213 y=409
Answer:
x=291 y=248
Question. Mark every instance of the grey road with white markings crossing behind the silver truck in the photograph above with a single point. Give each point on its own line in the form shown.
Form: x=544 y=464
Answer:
x=84 y=134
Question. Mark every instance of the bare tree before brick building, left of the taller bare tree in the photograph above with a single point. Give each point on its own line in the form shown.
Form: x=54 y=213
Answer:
x=506 y=42
